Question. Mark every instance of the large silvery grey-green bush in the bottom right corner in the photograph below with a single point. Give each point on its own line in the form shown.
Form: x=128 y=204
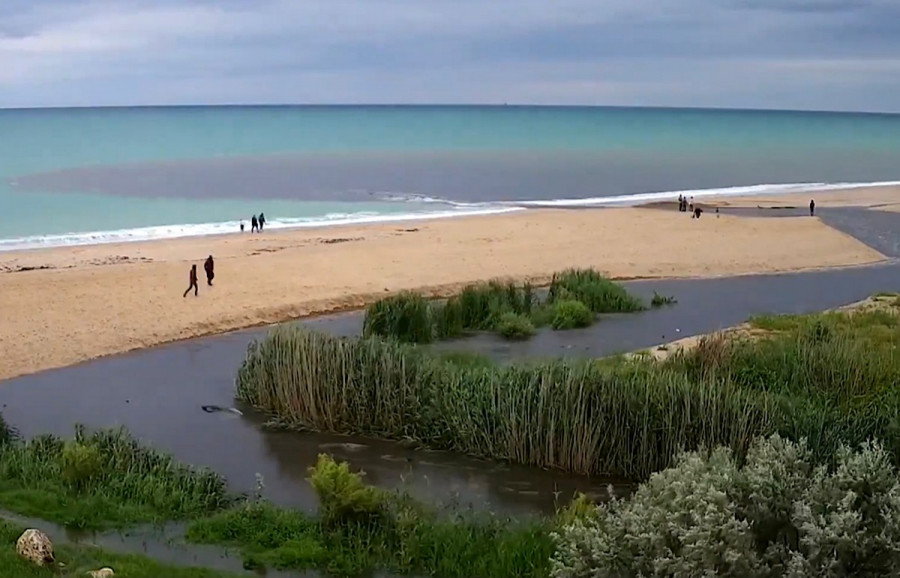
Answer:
x=776 y=516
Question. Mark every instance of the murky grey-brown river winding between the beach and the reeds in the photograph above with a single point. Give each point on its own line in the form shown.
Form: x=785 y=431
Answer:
x=159 y=393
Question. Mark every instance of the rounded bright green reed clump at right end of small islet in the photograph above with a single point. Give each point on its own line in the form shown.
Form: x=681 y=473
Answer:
x=594 y=290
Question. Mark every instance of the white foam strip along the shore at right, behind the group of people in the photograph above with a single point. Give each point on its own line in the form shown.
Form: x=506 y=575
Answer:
x=641 y=198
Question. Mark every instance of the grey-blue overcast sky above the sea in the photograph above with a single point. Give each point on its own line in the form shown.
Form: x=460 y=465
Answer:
x=797 y=54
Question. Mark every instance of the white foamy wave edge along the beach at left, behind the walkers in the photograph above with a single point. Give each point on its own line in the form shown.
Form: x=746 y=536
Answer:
x=229 y=227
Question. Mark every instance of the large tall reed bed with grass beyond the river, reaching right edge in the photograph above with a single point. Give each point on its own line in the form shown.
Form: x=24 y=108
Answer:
x=829 y=378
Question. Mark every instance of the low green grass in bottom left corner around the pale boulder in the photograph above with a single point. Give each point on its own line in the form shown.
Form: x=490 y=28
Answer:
x=78 y=560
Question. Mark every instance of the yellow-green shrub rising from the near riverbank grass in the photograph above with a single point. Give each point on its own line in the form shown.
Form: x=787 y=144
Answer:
x=344 y=498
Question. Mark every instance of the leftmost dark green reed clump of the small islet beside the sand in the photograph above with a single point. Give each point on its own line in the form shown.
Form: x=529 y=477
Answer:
x=405 y=317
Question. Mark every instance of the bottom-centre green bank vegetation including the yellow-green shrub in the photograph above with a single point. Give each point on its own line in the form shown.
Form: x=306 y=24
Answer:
x=360 y=529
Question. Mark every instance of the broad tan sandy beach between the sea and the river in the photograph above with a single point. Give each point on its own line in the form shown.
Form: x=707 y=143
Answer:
x=62 y=306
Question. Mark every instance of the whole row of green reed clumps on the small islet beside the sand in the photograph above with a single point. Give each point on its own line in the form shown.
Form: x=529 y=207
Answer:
x=514 y=311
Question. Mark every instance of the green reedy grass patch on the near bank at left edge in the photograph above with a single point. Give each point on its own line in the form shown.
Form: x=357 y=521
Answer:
x=101 y=480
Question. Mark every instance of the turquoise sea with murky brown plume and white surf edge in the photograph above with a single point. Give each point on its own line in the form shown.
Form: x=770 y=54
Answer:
x=98 y=175
